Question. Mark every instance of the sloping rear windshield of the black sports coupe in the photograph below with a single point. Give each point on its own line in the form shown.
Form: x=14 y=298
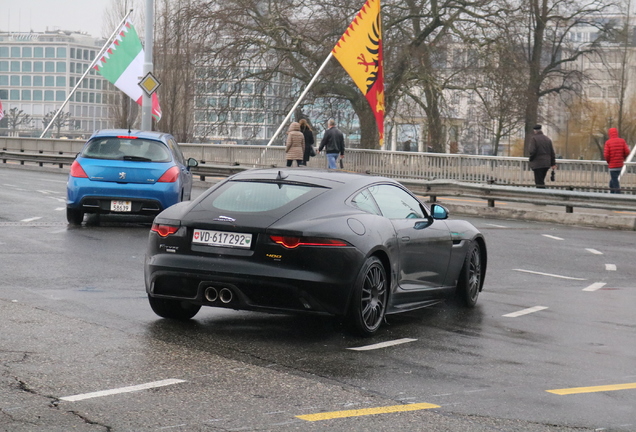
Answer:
x=254 y=197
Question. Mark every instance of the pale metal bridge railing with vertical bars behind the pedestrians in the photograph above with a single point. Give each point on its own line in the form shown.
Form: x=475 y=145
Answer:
x=585 y=175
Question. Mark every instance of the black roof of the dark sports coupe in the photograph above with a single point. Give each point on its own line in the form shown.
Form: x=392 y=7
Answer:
x=320 y=177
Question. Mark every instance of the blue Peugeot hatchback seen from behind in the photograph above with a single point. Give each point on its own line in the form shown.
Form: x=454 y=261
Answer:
x=127 y=172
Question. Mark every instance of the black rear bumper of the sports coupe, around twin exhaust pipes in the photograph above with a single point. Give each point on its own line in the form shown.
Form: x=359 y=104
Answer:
x=254 y=287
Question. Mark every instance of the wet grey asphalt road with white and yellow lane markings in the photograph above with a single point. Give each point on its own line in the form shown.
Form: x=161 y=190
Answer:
x=74 y=319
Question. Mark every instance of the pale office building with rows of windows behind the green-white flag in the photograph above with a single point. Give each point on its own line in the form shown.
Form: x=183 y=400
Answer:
x=39 y=70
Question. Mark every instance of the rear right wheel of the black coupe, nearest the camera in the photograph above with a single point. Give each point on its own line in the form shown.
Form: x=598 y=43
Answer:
x=369 y=298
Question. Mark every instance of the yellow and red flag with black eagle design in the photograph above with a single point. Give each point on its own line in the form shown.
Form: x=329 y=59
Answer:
x=359 y=51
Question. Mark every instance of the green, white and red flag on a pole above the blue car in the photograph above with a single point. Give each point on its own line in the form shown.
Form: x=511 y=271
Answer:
x=123 y=63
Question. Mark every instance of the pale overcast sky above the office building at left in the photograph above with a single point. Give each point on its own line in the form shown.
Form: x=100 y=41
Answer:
x=38 y=15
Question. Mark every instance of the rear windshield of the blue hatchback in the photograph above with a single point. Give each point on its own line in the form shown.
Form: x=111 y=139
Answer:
x=127 y=149
